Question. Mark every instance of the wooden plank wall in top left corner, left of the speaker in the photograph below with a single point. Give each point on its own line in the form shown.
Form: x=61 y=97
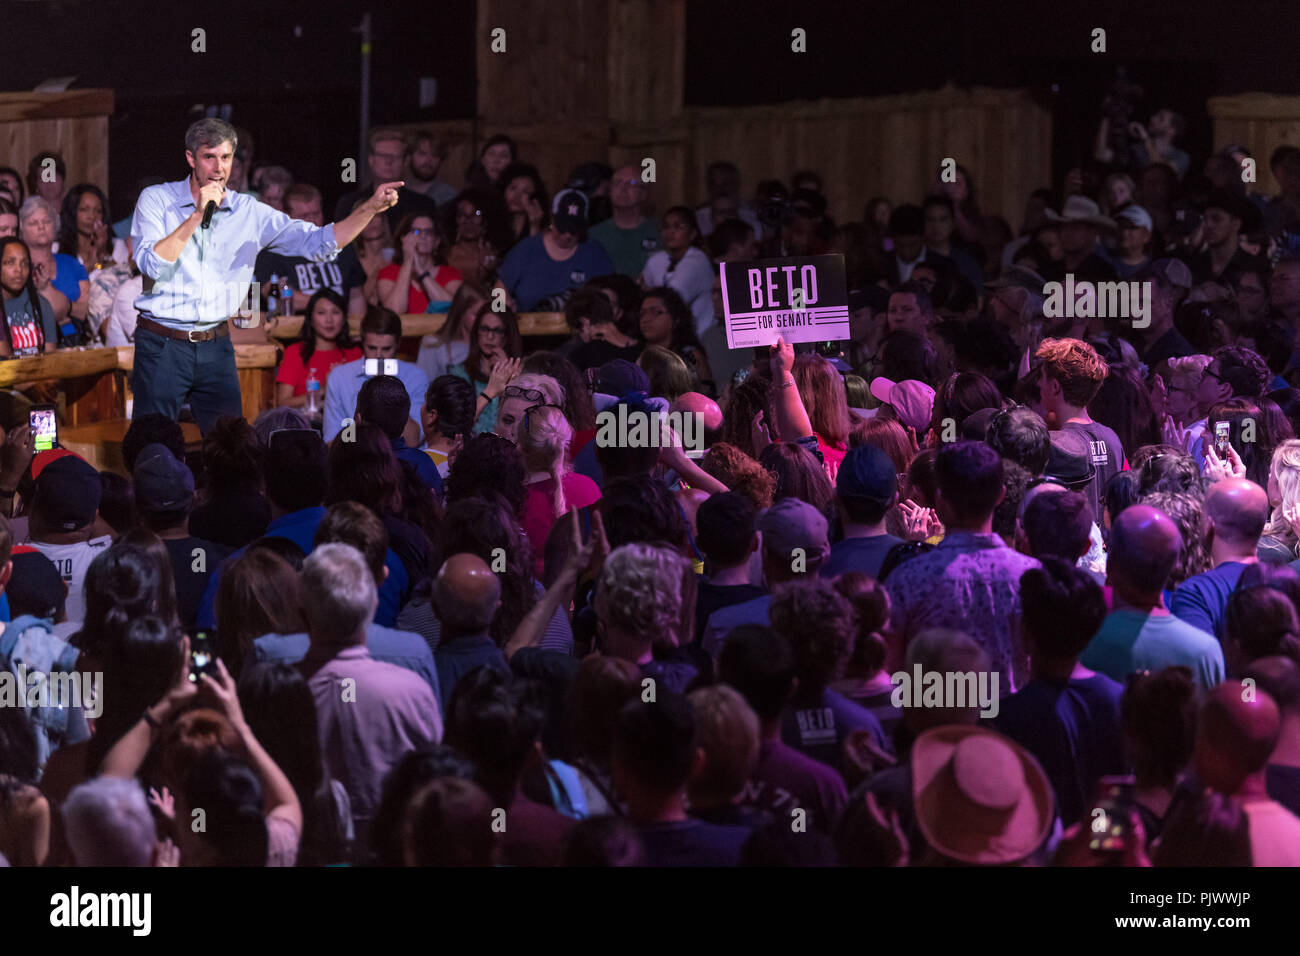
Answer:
x=73 y=123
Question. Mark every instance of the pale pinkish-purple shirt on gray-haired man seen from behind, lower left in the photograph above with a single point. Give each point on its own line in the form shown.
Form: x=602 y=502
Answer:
x=370 y=725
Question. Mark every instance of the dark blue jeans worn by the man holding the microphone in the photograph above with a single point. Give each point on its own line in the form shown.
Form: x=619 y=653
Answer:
x=168 y=371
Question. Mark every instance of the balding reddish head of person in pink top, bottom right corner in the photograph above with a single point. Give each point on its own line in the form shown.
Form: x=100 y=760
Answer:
x=1236 y=736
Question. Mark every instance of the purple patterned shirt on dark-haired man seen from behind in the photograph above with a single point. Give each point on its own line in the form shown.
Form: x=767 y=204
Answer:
x=969 y=583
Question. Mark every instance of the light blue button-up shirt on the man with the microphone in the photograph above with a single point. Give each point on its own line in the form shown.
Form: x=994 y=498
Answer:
x=210 y=280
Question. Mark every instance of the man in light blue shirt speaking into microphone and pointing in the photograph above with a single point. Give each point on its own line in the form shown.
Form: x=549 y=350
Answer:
x=196 y=244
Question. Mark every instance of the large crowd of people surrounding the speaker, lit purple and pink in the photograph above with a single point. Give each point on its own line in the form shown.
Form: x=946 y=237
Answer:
x=436 y=621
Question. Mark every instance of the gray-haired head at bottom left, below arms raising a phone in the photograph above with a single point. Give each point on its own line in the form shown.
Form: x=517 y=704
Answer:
x=109 y=824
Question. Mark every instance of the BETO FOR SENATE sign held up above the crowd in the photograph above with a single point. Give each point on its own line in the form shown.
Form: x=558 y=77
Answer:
x=800 y=300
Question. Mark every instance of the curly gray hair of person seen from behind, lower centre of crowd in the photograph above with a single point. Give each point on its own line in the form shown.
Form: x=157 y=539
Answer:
x=640 y=591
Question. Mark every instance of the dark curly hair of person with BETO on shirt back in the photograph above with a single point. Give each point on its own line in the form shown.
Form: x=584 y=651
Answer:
x=821 y=626
